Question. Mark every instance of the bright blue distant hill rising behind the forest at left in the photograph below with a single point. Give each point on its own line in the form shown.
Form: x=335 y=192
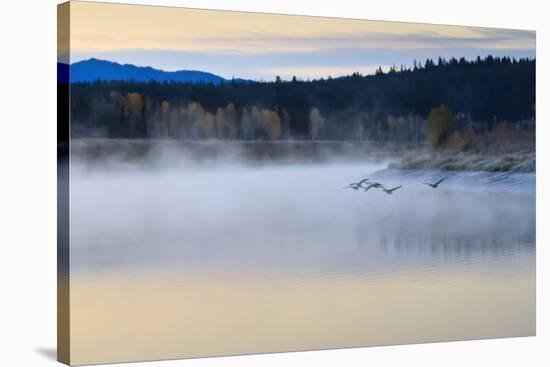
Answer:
x=93 y=69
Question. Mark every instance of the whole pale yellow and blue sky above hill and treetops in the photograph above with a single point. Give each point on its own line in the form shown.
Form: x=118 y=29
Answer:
x=262 y=46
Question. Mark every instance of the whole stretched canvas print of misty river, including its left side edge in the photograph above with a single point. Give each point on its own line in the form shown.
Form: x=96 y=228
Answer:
x=234 y=183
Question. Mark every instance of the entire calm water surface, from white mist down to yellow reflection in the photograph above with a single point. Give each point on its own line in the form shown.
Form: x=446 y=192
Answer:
x=235 y=259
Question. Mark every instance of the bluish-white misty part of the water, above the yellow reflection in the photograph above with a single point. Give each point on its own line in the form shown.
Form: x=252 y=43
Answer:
x=286 y=215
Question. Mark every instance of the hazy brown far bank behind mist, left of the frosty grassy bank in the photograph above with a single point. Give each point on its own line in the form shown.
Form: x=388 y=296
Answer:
x=142 y=151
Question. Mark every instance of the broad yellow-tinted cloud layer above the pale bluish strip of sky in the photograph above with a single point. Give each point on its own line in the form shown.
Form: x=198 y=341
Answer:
x=115 y=27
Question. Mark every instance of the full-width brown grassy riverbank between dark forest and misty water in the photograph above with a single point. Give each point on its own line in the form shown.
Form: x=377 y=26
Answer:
x=485 y=156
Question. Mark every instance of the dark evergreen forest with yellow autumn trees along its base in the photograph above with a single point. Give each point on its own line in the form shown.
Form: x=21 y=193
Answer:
x=395 y=105
